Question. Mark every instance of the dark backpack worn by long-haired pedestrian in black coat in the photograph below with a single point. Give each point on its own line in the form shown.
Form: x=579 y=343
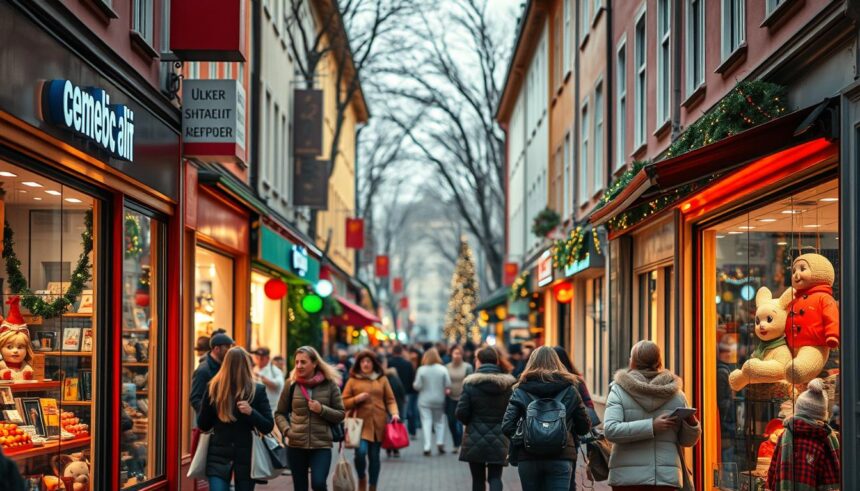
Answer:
x=545 y=426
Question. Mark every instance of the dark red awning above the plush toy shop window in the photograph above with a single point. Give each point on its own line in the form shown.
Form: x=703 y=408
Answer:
x=715 y=159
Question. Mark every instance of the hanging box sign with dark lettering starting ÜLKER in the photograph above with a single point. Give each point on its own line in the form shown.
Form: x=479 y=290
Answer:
x=213 y=120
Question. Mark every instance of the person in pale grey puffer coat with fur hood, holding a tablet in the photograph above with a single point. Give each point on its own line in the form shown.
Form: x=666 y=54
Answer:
x=638 y=422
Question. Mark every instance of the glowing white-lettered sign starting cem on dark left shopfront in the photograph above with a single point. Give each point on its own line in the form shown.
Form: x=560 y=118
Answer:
x=87 y=111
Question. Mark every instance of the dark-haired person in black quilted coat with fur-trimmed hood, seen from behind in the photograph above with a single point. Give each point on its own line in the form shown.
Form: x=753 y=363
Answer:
x=481 y=409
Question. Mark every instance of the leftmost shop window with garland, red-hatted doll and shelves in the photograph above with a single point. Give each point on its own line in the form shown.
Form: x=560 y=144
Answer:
x=48 y=334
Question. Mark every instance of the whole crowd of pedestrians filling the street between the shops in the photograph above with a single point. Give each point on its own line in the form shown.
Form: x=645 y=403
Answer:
x=530 y=408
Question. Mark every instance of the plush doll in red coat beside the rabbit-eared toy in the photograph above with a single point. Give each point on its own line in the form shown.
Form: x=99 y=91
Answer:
x=813 y=321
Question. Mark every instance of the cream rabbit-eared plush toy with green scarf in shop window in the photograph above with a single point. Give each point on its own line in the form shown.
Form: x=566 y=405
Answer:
x=767 y=363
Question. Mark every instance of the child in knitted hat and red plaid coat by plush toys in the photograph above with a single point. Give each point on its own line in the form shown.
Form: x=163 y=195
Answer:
x=807 y=452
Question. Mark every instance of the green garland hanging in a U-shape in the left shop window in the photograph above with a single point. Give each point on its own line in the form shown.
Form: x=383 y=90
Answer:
x=18 y=284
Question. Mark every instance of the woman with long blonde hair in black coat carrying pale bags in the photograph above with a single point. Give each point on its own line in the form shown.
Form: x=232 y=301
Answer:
x=233 y=407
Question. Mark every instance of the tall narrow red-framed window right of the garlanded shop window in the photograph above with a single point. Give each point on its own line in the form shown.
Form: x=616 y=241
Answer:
x=142 y=441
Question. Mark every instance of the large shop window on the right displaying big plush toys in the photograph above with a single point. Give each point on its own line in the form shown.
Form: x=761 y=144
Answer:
x=770 y=296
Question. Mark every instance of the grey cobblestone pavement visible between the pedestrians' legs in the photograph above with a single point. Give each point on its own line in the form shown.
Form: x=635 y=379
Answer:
x=415 y=472
